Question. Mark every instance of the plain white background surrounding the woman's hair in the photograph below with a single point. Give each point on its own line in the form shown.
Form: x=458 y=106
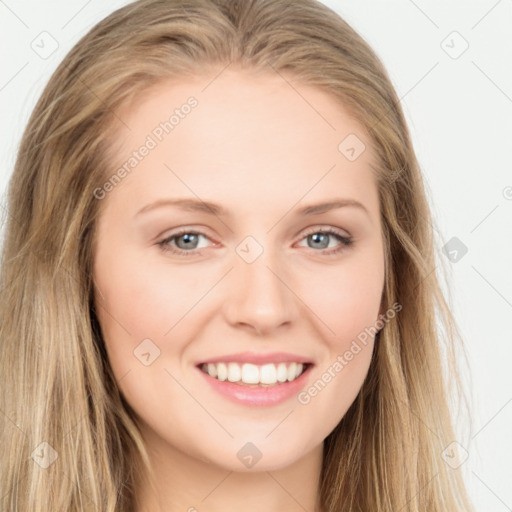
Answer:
x=459 y=111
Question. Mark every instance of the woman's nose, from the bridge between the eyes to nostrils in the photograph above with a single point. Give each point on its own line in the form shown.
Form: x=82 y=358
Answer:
x=259 y=296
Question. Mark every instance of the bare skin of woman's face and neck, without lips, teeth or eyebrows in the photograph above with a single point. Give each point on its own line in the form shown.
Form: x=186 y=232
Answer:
x=261 y=149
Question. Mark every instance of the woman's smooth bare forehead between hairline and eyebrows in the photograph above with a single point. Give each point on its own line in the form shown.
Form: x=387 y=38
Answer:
x=261 y=137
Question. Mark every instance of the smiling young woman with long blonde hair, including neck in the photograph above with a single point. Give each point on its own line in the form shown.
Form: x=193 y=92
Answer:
x=258 y=370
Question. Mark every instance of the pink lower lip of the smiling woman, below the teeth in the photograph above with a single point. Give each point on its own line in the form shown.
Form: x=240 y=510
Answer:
x=258 y=396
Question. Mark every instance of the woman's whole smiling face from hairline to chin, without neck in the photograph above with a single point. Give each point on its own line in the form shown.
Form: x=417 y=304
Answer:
x=212 y=255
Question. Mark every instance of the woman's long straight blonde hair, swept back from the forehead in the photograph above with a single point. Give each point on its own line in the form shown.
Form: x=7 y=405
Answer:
x=60 y=403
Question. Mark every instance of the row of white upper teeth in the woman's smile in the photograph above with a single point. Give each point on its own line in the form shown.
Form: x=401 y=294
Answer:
x=247 y=373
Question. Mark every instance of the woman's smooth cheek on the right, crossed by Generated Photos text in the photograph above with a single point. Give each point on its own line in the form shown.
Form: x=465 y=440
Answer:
x=349 y=306
